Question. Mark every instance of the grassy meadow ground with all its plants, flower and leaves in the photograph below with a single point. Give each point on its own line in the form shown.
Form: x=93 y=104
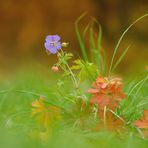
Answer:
x=80 y=103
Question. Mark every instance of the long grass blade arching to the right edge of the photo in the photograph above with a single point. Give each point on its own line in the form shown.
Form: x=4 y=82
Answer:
x=120 y=39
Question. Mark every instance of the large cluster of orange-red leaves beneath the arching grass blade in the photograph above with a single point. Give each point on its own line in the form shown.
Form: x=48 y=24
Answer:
x=107 y=92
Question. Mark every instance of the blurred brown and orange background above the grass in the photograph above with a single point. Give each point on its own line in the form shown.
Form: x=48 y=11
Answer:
x=25 y=23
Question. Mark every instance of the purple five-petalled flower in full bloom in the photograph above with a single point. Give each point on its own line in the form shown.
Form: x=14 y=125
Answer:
x=52 y=43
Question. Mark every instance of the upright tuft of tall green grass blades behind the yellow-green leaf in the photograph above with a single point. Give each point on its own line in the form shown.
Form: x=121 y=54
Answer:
x=95 y=42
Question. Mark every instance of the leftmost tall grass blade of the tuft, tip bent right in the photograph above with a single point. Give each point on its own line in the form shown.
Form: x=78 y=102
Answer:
x=80 y=40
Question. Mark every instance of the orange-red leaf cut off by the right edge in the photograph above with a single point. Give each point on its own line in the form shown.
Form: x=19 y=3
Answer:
x=143 y=122
